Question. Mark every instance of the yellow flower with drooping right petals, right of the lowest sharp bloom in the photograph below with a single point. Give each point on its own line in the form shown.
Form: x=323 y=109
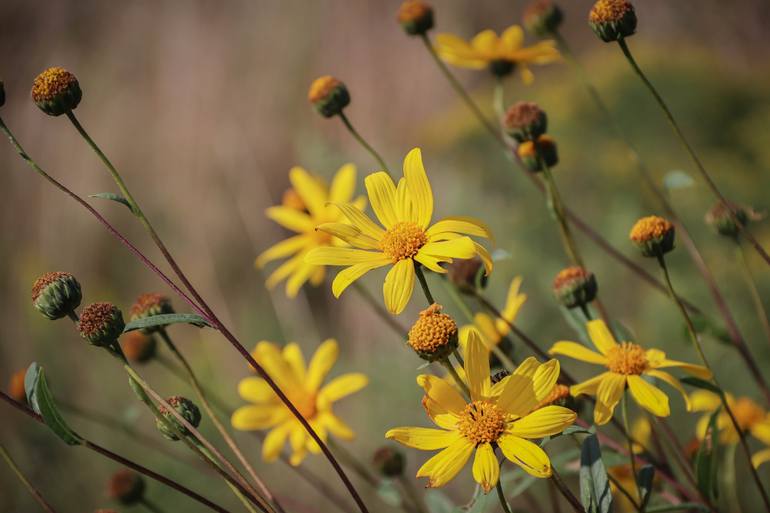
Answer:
x=626 y=362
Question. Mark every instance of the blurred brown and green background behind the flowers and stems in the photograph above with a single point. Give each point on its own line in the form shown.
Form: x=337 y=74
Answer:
x=202 y=106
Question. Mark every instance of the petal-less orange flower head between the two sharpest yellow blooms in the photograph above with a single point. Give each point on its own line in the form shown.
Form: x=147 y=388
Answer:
x=434 y=335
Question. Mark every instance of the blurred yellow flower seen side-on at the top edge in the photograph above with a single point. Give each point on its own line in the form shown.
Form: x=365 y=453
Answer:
x=501 y=54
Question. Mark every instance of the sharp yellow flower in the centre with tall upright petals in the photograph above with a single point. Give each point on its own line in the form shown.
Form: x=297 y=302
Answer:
x=405 y=239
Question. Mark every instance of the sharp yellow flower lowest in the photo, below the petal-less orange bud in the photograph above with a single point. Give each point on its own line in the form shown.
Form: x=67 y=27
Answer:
x=503 y=415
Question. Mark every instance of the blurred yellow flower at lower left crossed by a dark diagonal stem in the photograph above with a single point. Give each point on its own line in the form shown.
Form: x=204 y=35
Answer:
x=304 y=387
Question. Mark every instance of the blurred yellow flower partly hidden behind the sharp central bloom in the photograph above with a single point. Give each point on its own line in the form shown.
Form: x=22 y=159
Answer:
x=312 y=196
